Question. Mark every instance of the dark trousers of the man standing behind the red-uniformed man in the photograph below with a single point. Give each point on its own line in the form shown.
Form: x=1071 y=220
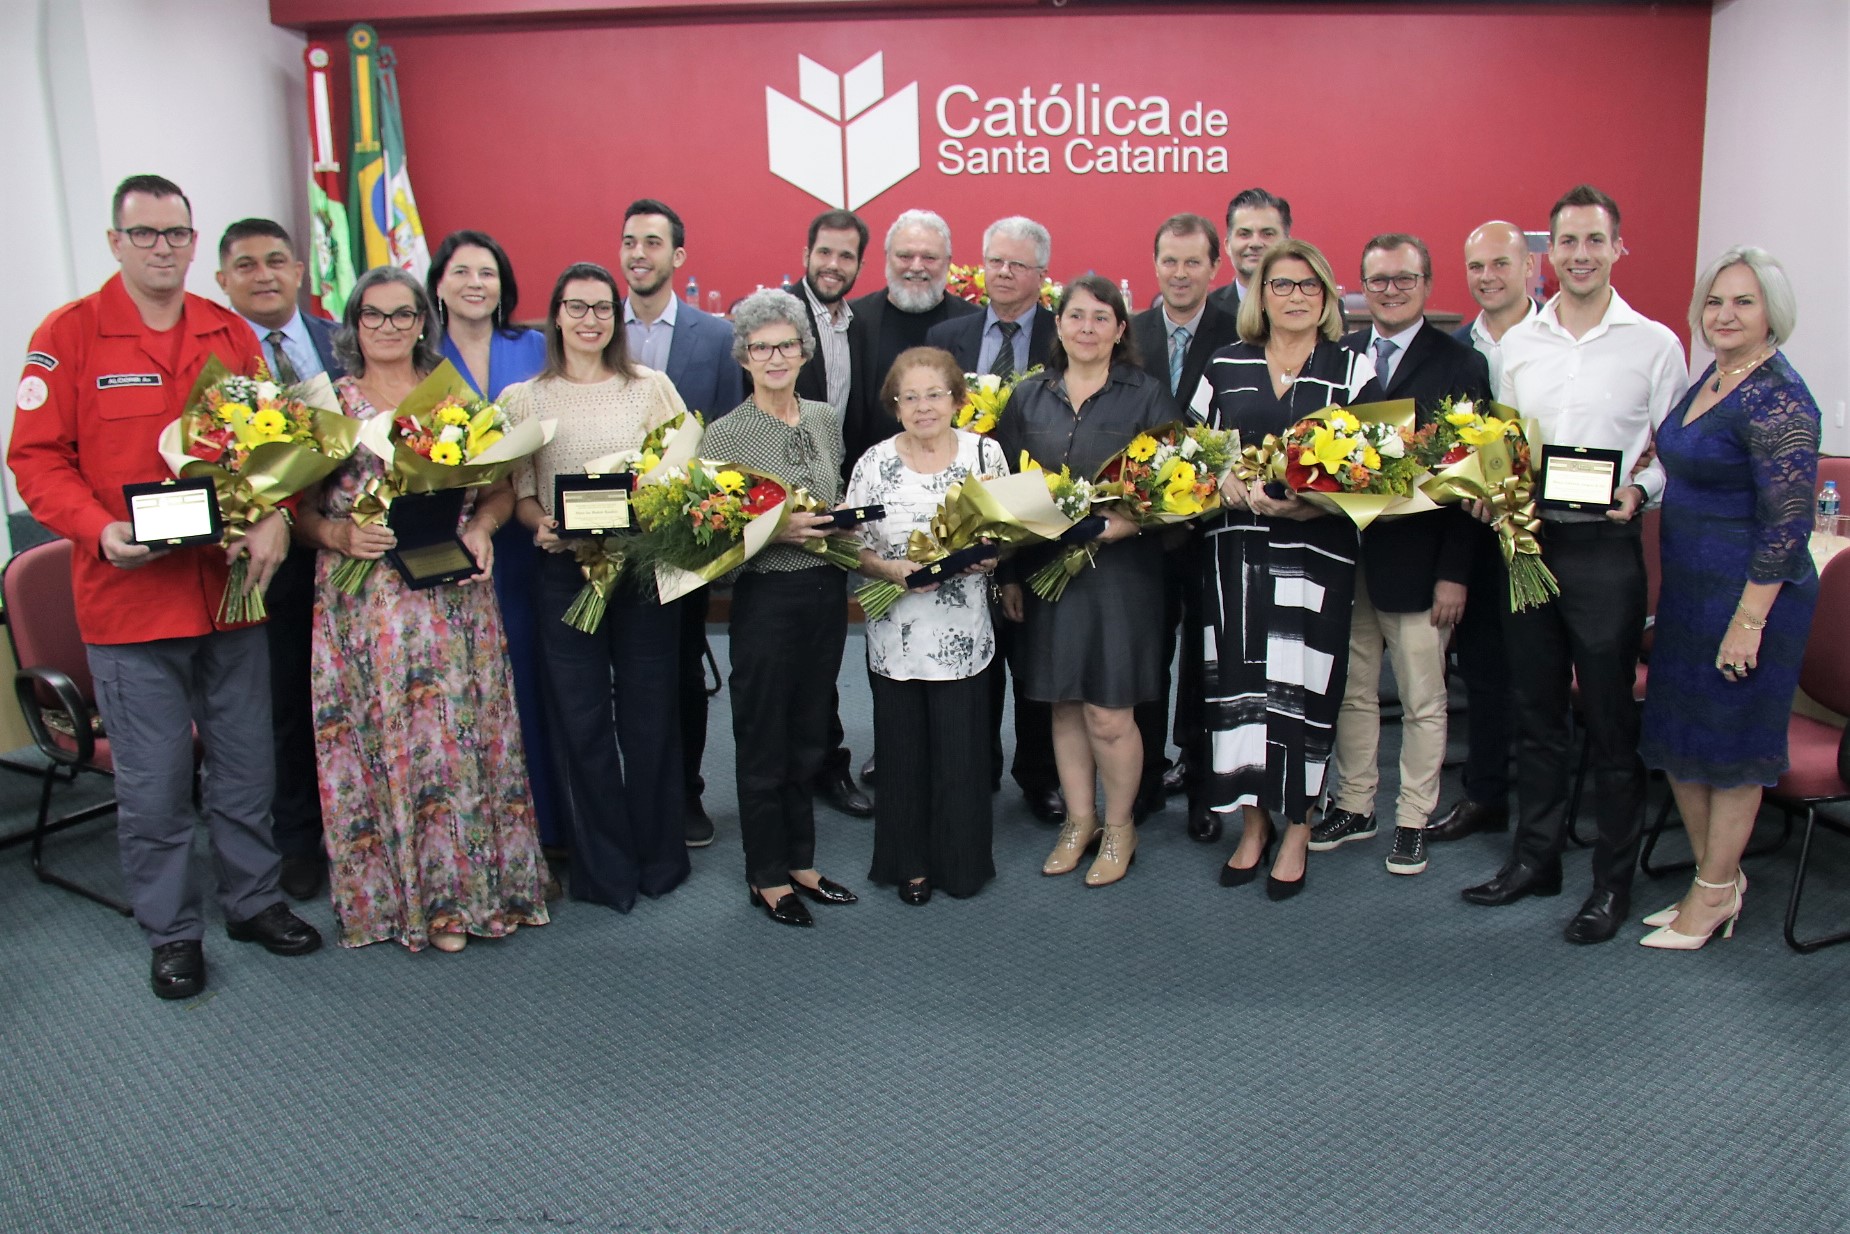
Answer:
x=297 y=809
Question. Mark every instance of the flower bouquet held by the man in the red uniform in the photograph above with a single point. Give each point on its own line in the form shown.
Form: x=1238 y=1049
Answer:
x=260 y=445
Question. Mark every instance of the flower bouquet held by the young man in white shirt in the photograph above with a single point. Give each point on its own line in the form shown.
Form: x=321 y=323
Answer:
x=1485 y=456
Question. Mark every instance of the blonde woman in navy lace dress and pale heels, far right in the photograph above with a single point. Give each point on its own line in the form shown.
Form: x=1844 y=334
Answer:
x=1742 y=454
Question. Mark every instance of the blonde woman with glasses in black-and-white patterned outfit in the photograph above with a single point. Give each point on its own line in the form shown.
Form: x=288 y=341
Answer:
x=1281 y=574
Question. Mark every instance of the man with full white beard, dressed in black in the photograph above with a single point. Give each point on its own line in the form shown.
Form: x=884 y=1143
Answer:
x=887 y=323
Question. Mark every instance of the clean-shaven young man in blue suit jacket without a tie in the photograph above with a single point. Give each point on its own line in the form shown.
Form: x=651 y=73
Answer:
x=697 y=352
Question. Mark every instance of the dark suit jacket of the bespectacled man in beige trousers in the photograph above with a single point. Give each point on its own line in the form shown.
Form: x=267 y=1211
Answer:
x=1405 y=558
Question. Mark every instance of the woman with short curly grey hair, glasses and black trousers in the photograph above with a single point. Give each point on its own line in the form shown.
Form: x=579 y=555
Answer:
x=789 y=613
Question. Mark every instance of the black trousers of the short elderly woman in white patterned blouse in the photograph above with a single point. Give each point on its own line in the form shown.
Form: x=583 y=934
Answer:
x=933 y=819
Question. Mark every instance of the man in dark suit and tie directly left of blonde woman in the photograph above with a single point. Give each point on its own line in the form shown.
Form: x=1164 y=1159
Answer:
x=1176 y=341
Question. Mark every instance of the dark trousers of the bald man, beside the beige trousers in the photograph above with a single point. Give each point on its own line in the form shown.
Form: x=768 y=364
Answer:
x=1485 y=667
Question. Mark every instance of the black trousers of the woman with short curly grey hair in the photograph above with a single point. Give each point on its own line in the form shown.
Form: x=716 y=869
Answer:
x=789 y=632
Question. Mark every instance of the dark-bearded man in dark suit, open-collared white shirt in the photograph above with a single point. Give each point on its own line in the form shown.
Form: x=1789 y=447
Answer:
x=832 y=262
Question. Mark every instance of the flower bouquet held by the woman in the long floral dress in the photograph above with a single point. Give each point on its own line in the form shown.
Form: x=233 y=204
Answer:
x=441 y=438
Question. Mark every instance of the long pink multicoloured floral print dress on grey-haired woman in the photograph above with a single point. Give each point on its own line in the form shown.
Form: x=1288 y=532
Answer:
x=425 y=789
